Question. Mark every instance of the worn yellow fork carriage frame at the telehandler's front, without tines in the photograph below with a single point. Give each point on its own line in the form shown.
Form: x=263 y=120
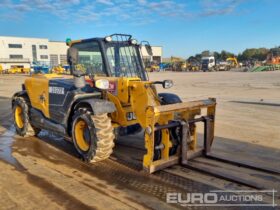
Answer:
x=178 y=115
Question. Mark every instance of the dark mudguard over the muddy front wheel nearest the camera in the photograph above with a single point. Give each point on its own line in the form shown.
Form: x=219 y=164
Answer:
x=98 y=106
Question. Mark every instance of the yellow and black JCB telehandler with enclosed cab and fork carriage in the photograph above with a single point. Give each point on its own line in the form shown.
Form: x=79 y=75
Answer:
x=110 y=91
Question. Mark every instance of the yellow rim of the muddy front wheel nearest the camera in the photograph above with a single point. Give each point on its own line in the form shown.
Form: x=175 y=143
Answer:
x=80 y=132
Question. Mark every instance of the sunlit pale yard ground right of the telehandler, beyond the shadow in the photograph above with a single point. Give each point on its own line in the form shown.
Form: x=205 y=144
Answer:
x=248 y=104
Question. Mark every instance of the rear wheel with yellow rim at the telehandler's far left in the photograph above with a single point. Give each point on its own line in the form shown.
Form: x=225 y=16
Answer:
x=21 y=118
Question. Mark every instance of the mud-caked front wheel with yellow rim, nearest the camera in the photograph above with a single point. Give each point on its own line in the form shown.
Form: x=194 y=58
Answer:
x=96 y=141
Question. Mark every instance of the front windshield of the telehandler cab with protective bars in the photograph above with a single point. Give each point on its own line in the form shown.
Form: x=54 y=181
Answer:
x=124 y=60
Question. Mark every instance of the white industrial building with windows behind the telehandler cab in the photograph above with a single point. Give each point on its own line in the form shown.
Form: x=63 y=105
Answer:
x=24 y=52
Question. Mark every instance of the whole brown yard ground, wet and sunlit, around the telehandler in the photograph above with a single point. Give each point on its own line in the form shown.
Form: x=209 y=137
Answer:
x=46 y=173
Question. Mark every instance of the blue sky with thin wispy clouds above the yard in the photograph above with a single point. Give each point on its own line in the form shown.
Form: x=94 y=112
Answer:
x=182 y=27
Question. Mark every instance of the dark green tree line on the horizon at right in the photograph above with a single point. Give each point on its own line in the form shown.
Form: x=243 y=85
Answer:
x=256 y=54
